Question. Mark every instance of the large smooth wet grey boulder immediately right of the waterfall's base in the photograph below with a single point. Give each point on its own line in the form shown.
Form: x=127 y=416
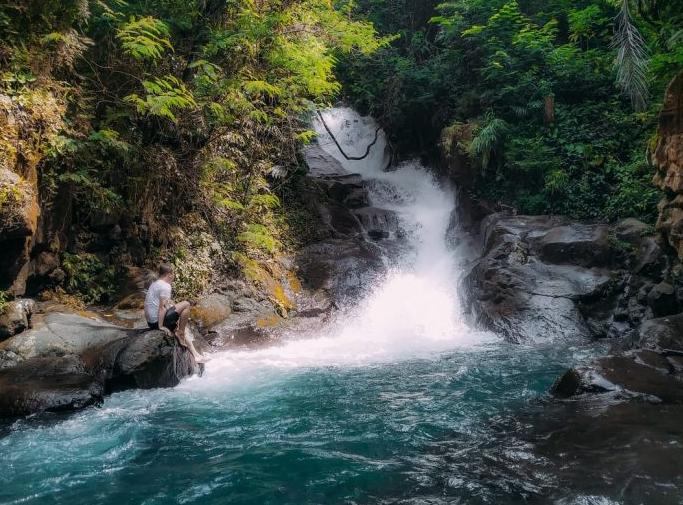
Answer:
x=536 y=278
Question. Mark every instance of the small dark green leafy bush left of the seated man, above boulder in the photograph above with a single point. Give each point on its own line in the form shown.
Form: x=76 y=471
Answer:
x=88 y=278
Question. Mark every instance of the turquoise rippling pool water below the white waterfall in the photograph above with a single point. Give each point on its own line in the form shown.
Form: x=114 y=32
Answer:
x=413 y=430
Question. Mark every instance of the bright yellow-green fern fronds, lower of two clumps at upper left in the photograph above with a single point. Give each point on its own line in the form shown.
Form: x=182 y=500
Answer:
x=165 y=96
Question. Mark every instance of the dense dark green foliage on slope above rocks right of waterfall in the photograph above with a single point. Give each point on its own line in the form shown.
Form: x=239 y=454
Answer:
x=554 y=128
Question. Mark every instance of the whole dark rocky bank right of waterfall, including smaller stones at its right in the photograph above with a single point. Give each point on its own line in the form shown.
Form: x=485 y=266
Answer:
x=548 y=277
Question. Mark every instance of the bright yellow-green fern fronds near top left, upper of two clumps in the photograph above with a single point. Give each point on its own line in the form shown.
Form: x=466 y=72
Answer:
x=144 y=38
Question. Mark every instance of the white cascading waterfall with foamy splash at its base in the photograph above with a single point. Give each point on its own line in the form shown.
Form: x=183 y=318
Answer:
x=413 y=311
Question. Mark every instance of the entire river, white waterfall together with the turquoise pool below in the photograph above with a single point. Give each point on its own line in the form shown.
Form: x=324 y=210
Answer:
x=397 y=400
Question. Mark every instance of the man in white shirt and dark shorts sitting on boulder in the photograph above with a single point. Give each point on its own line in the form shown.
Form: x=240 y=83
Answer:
x=162 y=314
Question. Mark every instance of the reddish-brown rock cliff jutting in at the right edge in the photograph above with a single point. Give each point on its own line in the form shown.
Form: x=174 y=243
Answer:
x=667 y=156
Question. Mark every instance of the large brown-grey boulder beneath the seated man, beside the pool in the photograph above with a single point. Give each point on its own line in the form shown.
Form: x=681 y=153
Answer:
x=68 y=361
